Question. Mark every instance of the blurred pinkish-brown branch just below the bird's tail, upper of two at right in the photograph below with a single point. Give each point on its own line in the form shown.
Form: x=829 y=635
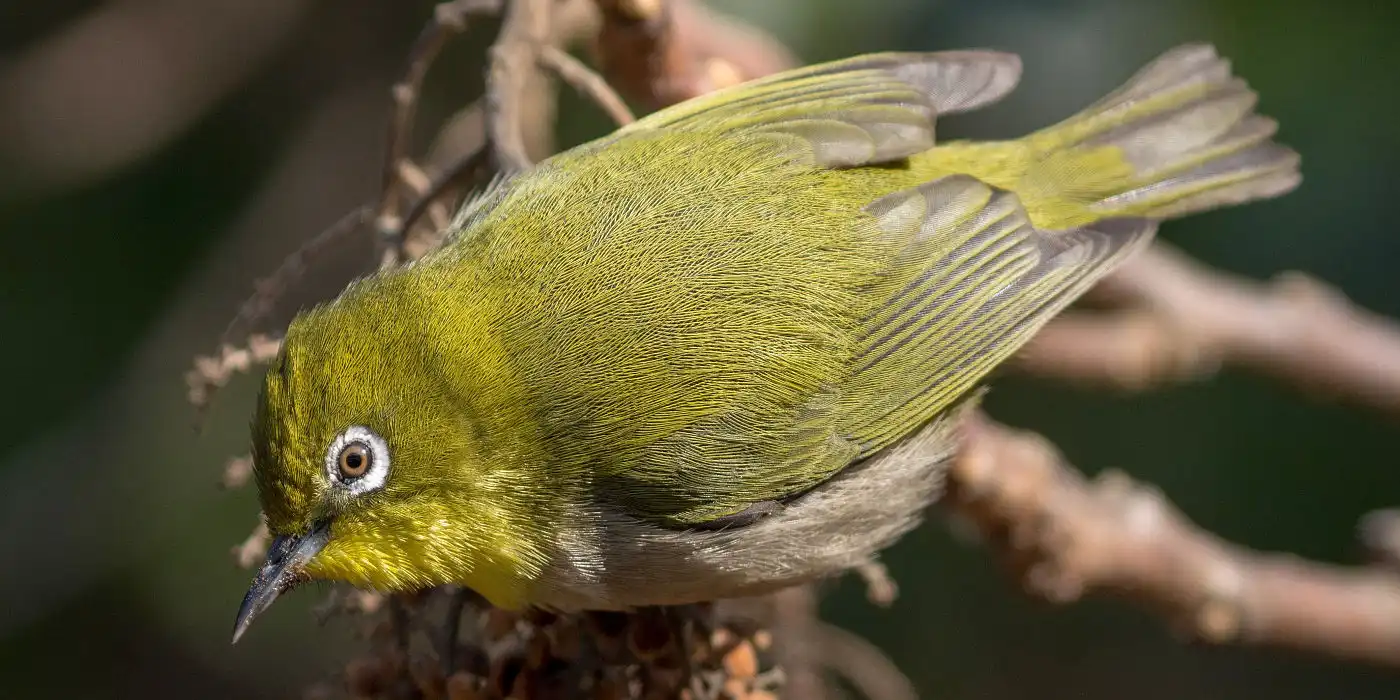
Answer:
x=1179 y=318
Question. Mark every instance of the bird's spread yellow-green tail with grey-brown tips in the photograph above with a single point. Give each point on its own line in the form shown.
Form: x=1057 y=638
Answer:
x=1178 y=138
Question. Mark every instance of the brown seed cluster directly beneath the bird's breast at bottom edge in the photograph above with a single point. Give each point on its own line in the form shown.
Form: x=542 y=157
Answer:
x=484 y=653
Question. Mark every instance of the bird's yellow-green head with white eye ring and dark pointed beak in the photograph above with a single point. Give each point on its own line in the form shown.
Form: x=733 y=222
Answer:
x=373 y=468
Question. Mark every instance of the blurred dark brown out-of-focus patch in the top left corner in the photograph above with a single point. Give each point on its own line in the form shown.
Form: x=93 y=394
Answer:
x=125 y=79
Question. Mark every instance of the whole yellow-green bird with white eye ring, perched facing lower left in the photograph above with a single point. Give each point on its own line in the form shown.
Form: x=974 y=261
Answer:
x=723 y=349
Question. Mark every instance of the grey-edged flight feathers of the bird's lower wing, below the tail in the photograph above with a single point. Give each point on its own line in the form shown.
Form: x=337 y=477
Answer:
x=972 y=283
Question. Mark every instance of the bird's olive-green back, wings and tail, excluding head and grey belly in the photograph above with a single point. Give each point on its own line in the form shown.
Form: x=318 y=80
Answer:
x=731 y=300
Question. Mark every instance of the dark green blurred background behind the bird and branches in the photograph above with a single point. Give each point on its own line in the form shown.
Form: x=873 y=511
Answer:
x=157 y=156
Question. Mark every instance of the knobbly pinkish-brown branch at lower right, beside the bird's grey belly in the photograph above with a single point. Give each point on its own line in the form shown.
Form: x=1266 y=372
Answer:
x=1069 y=537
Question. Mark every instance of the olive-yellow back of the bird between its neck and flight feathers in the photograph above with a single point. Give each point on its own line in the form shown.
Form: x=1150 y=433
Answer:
x=682 y=313
